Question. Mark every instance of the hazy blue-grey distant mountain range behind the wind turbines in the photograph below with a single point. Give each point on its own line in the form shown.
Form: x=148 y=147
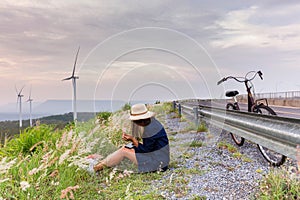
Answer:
x=54 y=107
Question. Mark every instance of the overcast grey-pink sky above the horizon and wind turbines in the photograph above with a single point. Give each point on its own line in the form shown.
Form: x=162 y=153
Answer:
x=146 y=49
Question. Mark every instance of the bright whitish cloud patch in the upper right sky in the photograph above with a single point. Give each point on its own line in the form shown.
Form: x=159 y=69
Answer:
x=254 y=27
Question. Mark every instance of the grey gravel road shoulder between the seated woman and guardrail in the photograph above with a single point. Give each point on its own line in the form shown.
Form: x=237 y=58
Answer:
x=220 y=173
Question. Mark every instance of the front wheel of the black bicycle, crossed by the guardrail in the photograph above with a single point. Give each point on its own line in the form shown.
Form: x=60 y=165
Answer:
x=274 y=158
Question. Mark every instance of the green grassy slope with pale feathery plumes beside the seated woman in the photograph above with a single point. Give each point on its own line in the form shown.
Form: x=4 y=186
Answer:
x=48 y=163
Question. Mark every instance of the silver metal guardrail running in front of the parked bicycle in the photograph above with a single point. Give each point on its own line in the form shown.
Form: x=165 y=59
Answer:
x=279 y=134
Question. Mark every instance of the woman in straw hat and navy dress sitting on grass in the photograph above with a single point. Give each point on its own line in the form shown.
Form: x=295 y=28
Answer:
x=152 y=154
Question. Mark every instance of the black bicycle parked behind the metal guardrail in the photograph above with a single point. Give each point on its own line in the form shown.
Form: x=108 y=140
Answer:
x=259 y=106
